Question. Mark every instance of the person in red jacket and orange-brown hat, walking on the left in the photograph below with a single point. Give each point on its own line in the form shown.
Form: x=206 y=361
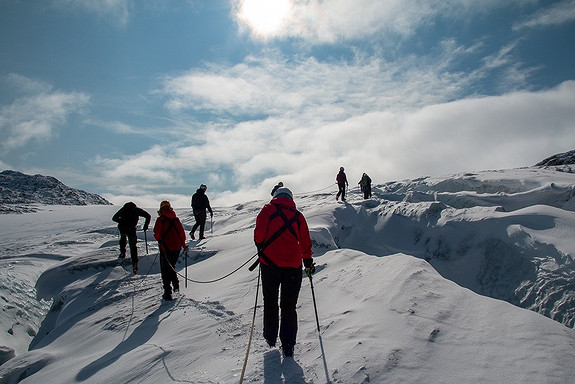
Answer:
x=171 y=237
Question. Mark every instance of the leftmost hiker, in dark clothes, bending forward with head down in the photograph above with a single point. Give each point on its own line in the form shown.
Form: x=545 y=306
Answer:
x=127 y=218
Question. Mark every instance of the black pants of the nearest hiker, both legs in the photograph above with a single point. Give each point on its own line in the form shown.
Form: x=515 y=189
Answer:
x=288 y=280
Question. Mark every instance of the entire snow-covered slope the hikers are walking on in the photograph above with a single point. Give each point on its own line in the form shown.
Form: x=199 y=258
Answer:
x=401 y=289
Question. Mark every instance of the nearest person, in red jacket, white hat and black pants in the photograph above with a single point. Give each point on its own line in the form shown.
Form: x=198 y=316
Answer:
x=283 y=241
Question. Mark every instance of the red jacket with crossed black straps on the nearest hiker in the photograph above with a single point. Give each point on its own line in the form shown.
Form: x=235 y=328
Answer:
x=286 y=250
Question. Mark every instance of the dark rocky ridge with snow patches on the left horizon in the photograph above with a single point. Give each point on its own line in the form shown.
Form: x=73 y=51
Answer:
x=21 y=193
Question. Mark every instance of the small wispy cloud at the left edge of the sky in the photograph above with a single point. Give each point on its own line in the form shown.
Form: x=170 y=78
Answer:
x=36 y=117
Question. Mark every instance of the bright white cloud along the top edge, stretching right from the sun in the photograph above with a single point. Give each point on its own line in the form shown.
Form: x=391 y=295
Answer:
x=321 y=22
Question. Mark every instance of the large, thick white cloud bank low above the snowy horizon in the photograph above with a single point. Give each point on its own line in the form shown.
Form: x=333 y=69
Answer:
x=476 y=133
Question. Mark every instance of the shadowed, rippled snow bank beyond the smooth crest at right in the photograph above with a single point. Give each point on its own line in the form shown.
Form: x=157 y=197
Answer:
x=512 y=246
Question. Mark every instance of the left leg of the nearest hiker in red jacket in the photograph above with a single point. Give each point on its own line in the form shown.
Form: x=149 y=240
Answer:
x=270 y=289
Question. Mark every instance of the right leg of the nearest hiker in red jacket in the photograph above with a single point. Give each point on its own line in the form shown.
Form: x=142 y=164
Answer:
x=290 y=287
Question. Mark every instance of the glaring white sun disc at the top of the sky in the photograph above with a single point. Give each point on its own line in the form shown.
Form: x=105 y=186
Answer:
x=264 y=17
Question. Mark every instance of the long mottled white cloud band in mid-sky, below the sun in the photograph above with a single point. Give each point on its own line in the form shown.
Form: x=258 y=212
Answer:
x=268 y=84
